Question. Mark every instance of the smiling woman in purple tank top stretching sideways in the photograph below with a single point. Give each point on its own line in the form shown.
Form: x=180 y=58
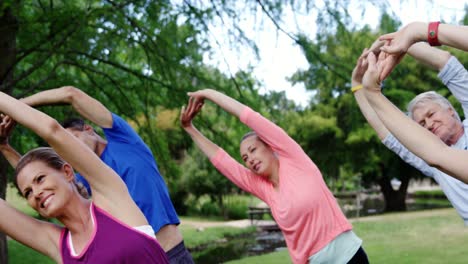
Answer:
x=105 y=229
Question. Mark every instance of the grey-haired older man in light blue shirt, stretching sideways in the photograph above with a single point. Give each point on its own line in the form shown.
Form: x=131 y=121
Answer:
x=435 y=113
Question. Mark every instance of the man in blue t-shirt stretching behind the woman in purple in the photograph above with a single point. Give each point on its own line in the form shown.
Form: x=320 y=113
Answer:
x=126 y=153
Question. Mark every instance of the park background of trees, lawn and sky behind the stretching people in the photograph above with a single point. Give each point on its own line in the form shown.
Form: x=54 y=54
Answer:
x=141 y=57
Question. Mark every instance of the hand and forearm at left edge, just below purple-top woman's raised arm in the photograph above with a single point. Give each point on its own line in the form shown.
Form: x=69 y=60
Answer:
x=6 y=127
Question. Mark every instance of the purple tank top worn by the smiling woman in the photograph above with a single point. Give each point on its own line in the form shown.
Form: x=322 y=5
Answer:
x=113 y=242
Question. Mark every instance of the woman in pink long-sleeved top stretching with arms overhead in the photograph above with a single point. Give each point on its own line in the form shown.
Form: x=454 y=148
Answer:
x=281 y=174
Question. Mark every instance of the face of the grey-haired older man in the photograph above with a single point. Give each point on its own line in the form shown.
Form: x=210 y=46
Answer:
x=439 y=120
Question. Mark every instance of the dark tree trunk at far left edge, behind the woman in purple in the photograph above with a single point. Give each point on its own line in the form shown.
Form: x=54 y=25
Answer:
x=8 y=31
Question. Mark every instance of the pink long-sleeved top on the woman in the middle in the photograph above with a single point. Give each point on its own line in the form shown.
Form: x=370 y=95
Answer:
x=304 y=208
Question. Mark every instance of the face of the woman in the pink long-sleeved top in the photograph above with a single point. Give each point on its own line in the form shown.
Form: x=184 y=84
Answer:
x=257 y=156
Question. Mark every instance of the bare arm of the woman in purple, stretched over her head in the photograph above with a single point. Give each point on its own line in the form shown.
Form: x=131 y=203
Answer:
x=109 y=191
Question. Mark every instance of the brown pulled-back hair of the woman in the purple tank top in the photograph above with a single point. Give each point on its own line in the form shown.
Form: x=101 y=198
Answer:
x=51 y=159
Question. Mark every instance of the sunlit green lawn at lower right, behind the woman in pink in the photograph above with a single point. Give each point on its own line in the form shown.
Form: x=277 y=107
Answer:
x=432 y=237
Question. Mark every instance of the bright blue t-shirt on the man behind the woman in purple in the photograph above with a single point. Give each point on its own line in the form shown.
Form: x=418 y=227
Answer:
x=128 y=155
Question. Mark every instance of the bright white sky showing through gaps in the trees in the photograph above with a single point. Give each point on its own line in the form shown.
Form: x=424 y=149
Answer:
x=279 y=58
